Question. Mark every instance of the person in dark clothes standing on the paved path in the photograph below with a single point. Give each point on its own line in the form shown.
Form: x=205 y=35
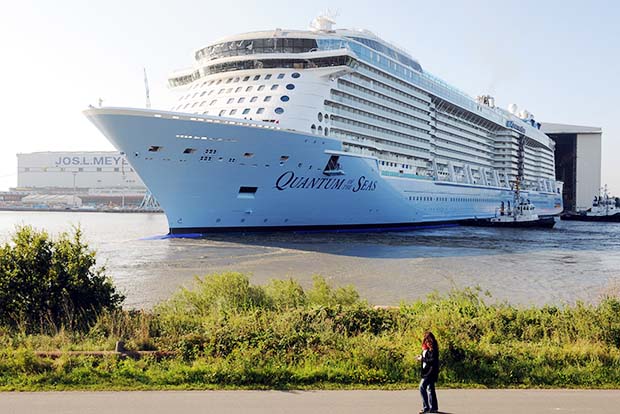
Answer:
x=430 y=372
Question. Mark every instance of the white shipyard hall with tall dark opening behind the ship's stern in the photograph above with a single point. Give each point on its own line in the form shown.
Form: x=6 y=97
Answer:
x=577 y=162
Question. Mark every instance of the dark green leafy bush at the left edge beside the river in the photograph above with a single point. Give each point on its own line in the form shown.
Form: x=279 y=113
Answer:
x=46 y=283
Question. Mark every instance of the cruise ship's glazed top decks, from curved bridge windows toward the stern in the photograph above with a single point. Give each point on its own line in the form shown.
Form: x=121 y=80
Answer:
x=269 y=48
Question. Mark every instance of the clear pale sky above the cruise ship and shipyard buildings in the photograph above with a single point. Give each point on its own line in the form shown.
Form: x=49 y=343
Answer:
x=558 y=59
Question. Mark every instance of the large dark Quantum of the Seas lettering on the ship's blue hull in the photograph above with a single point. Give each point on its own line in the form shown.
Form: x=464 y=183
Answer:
x=289 y=180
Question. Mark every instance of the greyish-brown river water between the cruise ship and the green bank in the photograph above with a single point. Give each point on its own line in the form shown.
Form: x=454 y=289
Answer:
x=573 y=261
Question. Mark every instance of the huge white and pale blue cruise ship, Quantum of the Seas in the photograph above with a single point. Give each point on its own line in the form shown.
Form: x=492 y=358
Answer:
x=327 y=129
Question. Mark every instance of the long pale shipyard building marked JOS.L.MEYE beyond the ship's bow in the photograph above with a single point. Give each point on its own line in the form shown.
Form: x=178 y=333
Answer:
x=94 y=178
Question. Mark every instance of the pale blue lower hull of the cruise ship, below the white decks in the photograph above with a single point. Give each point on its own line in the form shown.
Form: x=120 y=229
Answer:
x=216 y=175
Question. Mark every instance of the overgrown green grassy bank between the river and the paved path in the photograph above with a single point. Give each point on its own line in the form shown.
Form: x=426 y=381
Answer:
x=228 y=333
